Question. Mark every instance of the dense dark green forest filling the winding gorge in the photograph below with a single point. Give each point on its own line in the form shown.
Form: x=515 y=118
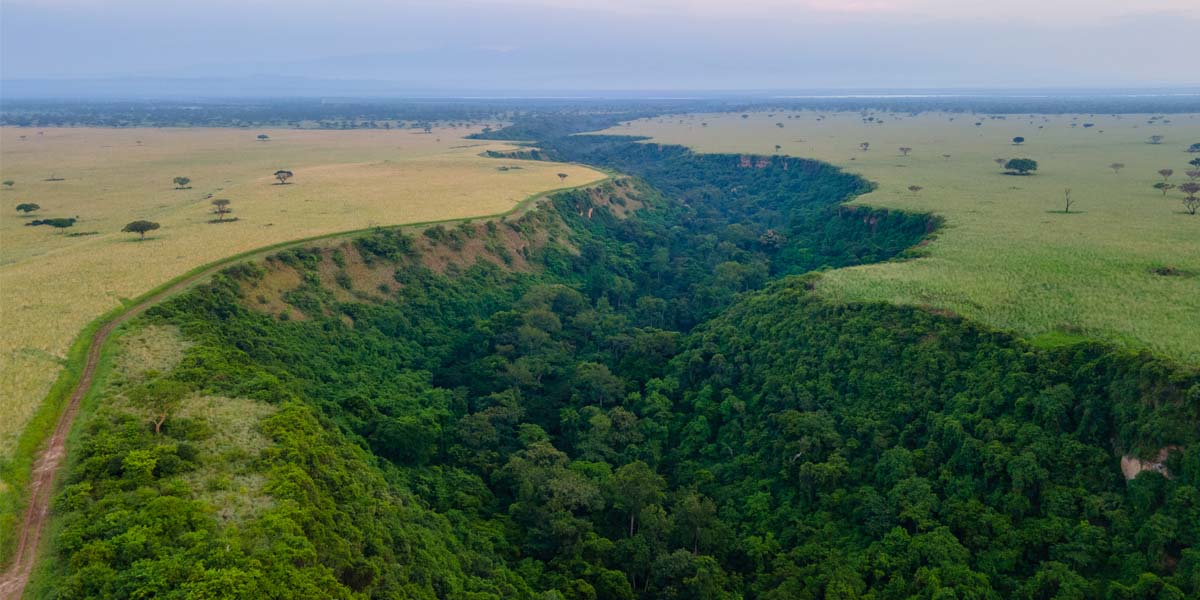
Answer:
x=655 y=406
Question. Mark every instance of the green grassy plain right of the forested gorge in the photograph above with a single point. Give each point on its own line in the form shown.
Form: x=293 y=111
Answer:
x=1009 y=256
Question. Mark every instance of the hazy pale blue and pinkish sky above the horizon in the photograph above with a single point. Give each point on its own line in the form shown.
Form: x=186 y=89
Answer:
x=611 y=45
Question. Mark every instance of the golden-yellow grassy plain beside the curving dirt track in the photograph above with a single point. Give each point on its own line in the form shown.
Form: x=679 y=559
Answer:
x=52 y=285
